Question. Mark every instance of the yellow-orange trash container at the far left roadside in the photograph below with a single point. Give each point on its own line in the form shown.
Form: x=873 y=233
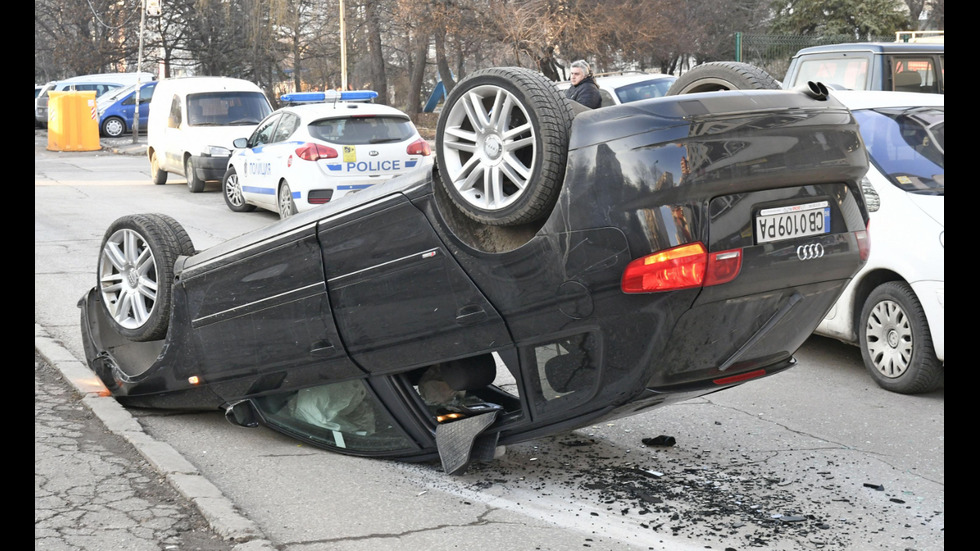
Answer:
x=73 y=122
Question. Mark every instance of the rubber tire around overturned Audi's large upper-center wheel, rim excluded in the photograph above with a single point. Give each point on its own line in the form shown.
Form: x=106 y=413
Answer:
x=551 y=113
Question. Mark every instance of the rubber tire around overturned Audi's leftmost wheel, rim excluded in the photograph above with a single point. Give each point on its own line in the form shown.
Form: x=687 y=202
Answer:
x=165 y=249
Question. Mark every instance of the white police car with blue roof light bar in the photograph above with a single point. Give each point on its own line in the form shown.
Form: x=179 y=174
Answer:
x=323 y=147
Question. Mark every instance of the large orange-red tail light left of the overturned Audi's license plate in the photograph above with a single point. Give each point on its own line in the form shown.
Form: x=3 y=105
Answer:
x=681 y=267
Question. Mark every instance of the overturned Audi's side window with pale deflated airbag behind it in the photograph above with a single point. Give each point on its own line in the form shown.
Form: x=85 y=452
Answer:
x=340 y=415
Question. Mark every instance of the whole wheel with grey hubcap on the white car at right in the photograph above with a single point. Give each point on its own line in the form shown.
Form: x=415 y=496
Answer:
x=896 y=343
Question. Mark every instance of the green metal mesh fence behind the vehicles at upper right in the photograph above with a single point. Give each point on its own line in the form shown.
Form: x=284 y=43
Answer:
x=773 y=52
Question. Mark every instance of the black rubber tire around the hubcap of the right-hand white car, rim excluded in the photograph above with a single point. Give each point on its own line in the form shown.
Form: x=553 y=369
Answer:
x=925 y=372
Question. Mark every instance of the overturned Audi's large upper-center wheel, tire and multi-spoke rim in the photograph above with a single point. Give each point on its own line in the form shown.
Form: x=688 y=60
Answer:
x=503 y=170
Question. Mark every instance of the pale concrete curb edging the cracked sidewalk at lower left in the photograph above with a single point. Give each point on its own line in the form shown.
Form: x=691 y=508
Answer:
x=218 y=510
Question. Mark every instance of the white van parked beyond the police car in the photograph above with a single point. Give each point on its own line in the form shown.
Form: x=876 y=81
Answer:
x=193 y=122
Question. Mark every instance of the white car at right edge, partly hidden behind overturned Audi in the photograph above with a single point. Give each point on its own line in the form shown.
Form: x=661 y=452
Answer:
x=894 y=308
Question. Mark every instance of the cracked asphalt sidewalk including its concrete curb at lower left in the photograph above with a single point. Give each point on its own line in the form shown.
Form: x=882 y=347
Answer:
x=100 y=482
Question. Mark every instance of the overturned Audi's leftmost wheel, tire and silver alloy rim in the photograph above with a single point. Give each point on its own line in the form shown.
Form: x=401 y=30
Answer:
x=135 y=275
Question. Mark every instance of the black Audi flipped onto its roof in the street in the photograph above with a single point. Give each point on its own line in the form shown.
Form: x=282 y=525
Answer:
x=554 y=269
